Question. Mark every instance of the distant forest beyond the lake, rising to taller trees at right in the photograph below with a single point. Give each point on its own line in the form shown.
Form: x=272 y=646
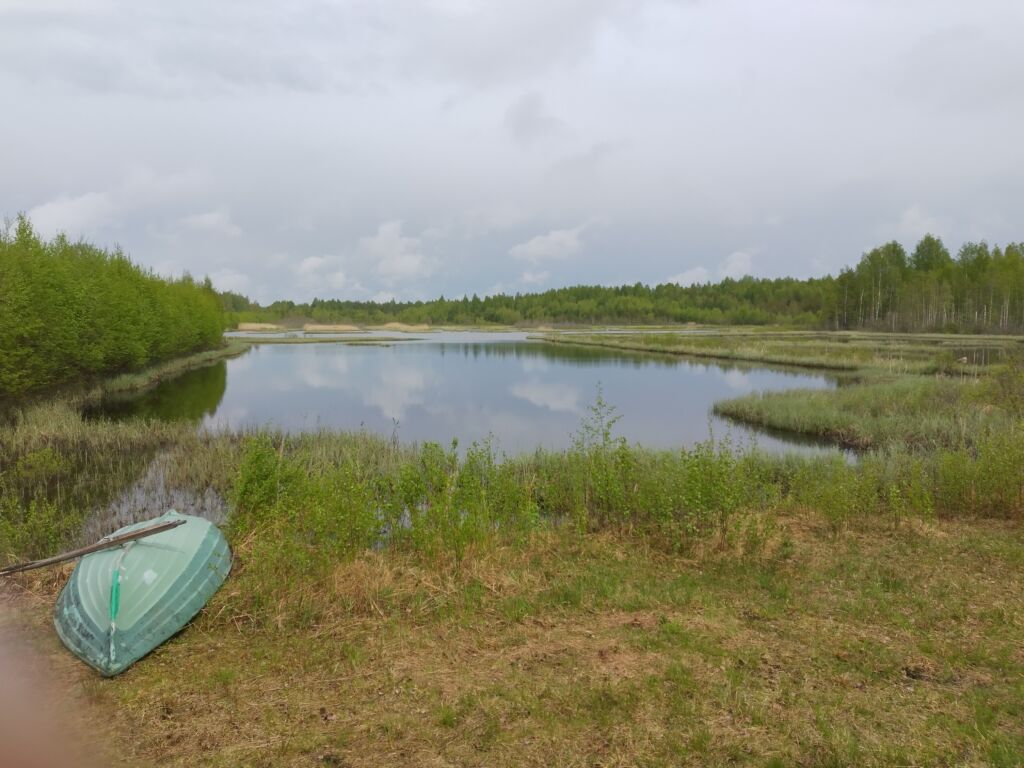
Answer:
x=982 y=290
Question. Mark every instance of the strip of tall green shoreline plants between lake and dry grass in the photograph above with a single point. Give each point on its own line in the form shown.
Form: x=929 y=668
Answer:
x=351 y=493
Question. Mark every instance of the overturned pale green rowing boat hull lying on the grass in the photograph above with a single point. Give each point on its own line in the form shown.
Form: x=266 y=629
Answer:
x=121 y=604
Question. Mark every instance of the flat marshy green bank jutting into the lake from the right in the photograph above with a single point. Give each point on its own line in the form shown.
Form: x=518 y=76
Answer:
x=917 y=393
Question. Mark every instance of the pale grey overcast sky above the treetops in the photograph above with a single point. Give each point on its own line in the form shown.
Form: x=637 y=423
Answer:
x=393 y=148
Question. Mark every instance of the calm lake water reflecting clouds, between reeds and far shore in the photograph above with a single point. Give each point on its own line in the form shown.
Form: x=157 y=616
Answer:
x=523 y=395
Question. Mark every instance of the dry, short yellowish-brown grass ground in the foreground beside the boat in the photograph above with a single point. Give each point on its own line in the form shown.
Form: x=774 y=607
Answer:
x=876 y=647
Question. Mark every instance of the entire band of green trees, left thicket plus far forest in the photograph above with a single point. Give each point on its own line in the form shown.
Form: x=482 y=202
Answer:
x=70 y=310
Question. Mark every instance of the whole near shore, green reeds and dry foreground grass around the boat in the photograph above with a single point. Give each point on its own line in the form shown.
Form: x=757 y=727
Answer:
x=603 y=606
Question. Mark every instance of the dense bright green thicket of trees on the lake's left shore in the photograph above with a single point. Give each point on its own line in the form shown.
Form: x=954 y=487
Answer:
x=70 y=310
